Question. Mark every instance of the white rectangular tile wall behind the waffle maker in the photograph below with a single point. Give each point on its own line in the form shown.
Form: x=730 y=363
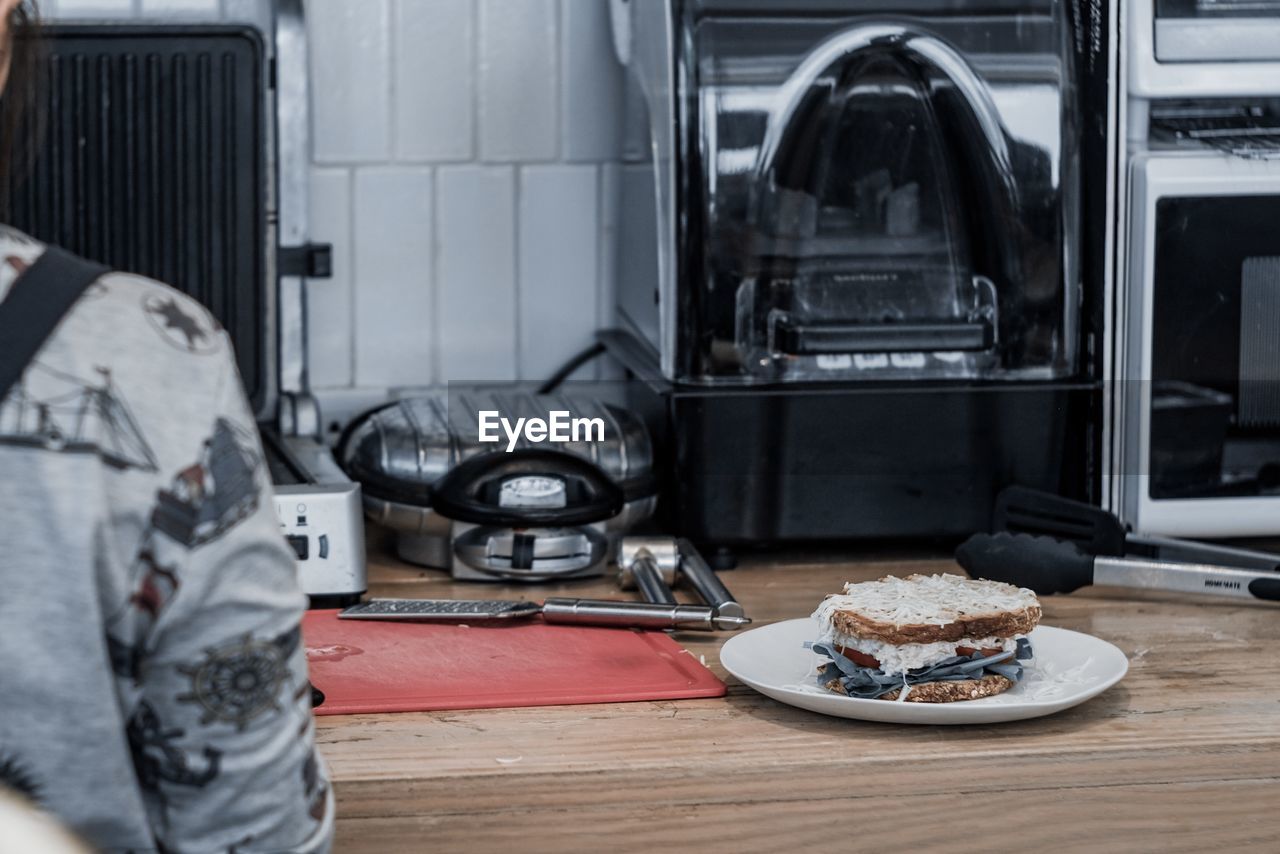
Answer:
x=465 y=168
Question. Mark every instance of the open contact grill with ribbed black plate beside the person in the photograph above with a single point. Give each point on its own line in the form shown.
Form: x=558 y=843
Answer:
x=179 y=149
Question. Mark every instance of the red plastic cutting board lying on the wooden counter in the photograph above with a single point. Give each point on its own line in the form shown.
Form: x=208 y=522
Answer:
x=368 y=666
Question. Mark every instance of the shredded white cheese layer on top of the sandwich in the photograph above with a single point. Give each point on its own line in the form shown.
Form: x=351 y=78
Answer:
x=924 y=600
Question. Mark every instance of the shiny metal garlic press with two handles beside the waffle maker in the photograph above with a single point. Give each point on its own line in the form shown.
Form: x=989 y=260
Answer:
x=656 y=564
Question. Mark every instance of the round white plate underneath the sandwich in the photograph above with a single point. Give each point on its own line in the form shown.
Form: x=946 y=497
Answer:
x=1068 y=669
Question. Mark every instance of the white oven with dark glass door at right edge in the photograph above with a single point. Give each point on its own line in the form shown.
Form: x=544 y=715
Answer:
x=1197 y=334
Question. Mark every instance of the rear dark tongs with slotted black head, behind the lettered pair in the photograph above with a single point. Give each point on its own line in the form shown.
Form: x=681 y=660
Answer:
x=1100 y=533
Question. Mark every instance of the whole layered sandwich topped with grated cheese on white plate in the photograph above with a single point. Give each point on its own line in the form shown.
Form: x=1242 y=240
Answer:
x=925 y=638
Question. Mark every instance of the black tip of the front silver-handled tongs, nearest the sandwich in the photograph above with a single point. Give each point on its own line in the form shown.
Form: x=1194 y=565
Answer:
x=1043 y=564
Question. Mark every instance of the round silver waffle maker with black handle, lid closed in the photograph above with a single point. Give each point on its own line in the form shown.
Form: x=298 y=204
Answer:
x=540 y=513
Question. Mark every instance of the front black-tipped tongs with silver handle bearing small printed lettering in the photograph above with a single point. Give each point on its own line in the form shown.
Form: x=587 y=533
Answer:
x=1048 y=565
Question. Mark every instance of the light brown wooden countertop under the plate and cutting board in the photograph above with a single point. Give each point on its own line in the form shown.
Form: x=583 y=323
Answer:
x=1183 y=755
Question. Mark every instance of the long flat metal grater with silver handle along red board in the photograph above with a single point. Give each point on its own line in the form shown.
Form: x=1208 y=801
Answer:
x=560 y=611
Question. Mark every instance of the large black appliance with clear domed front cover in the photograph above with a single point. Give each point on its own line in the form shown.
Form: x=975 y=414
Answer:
x=862 y=277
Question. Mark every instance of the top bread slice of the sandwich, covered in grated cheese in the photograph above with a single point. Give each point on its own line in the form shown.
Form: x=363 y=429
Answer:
x=929 y=609
